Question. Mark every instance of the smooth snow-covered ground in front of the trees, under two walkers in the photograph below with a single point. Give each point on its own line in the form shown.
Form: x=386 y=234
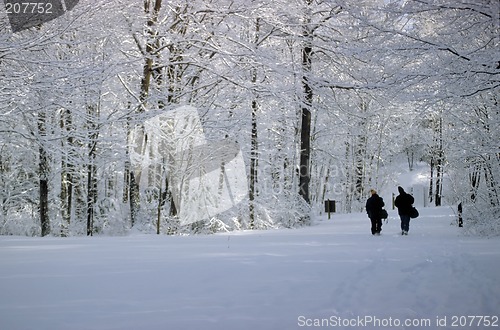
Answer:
x=314 y=277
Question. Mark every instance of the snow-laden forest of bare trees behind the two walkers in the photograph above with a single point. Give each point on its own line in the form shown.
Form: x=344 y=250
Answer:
x=325 y=99
